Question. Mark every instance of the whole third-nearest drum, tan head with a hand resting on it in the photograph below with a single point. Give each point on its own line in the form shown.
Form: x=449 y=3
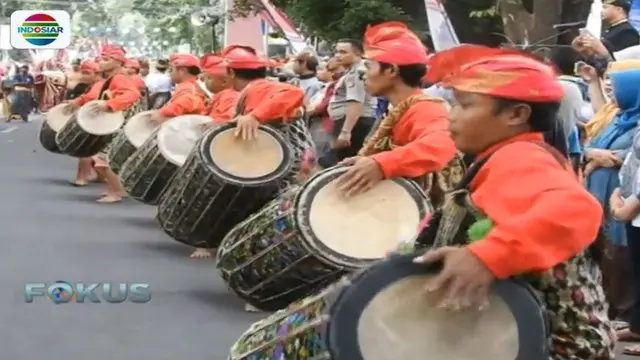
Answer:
x=224 y=180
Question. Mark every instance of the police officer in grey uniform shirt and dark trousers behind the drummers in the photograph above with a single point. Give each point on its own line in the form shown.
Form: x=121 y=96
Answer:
x=351 y=108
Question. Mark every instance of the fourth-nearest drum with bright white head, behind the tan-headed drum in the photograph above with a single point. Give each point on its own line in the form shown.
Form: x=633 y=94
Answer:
x=152 y=166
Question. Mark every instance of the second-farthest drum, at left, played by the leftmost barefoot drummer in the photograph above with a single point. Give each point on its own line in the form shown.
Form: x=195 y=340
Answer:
x=86 y=134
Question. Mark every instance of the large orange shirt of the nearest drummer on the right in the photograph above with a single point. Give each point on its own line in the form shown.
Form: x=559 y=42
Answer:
x=542 y=215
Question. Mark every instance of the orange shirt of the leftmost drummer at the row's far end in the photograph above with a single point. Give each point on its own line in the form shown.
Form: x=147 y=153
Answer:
x=122 y=93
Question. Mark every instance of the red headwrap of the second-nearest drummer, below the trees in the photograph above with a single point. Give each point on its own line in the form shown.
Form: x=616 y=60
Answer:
x=393 y=43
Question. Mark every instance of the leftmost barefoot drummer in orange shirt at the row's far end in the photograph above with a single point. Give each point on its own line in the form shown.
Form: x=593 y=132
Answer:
x=121 y=94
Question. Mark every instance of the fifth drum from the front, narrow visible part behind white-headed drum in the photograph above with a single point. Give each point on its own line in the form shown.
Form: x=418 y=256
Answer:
x=134 y=133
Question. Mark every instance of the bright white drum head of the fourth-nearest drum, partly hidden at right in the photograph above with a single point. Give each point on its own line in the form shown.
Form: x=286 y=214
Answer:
x=179 y=135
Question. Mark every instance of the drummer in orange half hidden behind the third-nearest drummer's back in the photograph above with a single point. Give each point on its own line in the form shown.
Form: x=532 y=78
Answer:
x=223 y=104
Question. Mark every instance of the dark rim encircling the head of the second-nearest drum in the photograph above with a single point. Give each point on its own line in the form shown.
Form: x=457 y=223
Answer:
x=314 y=245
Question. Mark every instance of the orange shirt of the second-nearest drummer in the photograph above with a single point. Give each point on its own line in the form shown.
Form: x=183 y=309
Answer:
x=423 y=140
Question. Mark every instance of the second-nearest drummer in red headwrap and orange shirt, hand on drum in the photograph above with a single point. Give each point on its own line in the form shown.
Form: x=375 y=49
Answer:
x=413 y=140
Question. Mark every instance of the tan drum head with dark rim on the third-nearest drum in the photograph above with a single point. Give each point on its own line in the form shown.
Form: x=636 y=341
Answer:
x=247 y=162
